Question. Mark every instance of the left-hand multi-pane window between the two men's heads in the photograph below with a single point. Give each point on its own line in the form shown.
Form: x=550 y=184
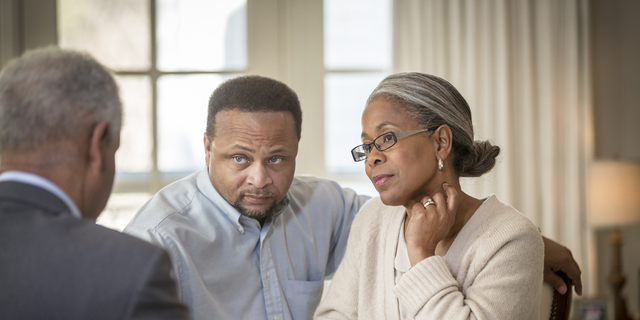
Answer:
x=168 y=56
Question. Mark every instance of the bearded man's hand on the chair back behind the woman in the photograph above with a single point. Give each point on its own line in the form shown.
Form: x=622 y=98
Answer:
x=558 y=258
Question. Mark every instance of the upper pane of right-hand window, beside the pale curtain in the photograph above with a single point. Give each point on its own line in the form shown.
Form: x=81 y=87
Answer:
x=357 y=34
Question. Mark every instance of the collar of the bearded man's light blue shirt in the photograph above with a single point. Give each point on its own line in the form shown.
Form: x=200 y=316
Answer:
x=233 y=216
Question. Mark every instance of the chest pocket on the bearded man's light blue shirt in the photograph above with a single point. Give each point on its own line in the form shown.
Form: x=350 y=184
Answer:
x=303 y=297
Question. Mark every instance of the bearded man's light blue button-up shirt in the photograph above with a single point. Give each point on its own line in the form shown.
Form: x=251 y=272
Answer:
x=228 y=267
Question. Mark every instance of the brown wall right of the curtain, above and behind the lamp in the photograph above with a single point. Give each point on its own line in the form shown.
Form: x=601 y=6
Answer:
x=616 y=97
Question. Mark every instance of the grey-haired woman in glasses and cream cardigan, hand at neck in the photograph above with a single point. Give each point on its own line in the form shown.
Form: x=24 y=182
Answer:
x=424 y=249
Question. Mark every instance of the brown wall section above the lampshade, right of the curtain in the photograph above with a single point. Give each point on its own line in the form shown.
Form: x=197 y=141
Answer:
x=616 y=78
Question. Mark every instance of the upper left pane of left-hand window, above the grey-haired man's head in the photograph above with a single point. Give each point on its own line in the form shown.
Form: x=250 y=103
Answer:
x=116 y=32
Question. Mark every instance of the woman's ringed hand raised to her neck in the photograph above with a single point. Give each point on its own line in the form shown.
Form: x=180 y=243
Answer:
x=428 y=225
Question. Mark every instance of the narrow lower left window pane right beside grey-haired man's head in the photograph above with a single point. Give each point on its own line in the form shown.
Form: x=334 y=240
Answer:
x=134 y=154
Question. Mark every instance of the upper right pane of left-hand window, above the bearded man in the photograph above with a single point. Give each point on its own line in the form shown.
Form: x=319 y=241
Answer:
x=202 y=35
